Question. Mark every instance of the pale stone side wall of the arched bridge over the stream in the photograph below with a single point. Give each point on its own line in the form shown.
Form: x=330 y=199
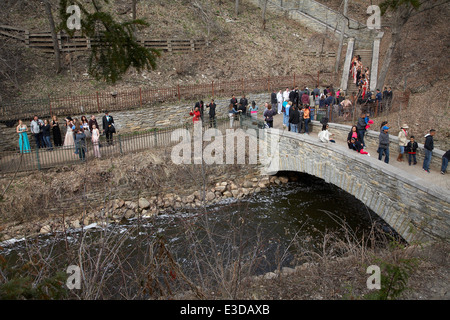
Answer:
x=417 y=210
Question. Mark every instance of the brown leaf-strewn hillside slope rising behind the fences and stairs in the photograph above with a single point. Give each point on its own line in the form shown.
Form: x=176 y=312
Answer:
x=239 y=49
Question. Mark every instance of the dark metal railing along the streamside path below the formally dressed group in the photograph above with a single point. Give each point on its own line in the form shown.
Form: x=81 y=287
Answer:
x=45 y=158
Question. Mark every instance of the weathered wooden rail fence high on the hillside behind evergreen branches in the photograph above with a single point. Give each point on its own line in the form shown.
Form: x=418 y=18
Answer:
x=44 y=42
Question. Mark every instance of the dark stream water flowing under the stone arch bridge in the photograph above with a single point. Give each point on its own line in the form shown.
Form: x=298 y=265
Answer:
x=268 y=229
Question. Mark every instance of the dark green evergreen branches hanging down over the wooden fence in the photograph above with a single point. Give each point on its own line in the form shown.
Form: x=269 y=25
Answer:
x=114 y=48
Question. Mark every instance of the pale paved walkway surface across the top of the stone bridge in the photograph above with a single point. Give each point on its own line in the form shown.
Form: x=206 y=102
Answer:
x=434 y=178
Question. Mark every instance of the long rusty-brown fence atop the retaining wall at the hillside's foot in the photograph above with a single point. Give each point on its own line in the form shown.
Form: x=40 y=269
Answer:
x=131 y=99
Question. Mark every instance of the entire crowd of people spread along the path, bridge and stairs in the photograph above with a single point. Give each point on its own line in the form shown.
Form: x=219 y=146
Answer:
x=296 y=106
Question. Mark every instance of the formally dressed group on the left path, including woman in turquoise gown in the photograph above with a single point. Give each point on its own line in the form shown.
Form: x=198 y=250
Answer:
x=77 y=132
